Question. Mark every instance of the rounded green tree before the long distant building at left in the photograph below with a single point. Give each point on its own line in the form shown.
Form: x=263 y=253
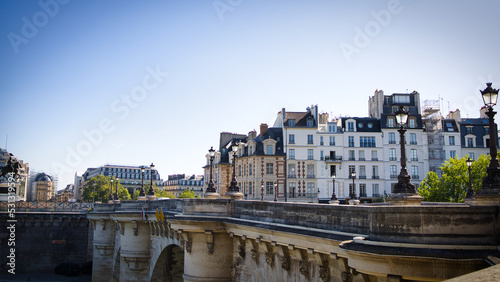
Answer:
x=102 y=189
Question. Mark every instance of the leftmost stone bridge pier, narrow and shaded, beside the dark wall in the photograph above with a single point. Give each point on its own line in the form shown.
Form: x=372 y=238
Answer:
x=104 y=244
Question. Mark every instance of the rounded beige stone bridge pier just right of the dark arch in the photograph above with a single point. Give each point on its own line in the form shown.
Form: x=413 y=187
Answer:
x=211 y=257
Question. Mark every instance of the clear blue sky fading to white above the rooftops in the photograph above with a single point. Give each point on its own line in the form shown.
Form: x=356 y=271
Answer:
x=159 y=80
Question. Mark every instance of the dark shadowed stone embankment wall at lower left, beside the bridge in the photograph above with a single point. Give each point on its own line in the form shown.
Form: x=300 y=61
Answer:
x=44 y=240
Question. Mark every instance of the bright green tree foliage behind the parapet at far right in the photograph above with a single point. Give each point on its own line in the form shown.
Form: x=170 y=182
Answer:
x=452 y=186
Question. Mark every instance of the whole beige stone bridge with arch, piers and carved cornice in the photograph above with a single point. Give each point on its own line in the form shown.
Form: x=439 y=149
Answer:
x=236 y=240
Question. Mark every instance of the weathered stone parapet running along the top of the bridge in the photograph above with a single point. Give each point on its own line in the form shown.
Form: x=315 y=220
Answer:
x=450 y=224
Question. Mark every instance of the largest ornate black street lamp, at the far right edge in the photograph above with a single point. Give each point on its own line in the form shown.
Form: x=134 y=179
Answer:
x=491 y=183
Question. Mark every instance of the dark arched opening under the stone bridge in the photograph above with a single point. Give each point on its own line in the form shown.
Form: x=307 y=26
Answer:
x=170 y=264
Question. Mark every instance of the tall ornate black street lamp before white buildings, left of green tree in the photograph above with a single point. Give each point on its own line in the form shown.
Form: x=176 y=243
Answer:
x=403 y=186
